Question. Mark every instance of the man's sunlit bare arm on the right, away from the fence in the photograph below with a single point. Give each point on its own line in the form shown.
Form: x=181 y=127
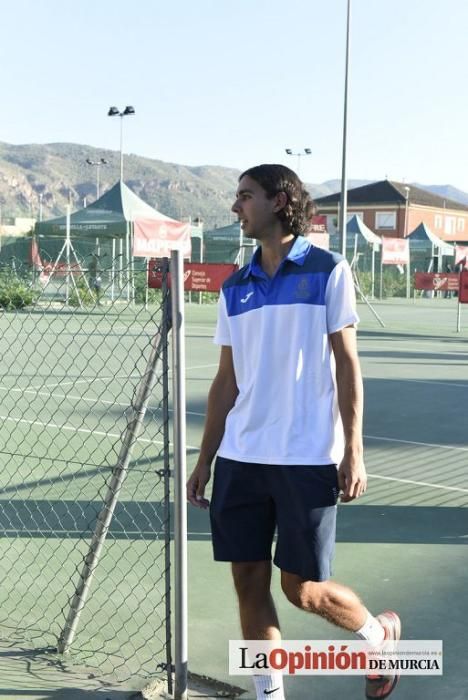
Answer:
x=351 y=472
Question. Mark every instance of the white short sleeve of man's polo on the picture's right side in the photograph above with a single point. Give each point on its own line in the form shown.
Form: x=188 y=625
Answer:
x=340 y=299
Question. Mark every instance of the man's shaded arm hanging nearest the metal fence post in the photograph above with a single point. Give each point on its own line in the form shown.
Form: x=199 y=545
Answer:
x=221 y=399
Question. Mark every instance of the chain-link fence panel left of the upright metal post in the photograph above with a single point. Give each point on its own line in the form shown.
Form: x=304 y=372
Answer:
x=84 y=485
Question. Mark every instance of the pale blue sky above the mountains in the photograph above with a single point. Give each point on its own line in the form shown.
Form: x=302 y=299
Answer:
x=216 y=82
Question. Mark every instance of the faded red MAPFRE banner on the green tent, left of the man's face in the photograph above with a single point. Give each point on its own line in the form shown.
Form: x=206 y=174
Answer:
x=156 y=238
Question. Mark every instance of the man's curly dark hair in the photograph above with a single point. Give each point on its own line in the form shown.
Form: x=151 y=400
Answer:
x=275 y=178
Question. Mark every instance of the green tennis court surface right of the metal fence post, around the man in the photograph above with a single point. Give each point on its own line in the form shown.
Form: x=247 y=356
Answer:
x=403 y=545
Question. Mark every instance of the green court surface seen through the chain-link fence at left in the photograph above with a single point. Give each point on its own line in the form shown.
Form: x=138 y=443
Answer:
x=67 y=383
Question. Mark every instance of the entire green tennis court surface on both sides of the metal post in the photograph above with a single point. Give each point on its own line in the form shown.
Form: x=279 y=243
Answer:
x=401 y=546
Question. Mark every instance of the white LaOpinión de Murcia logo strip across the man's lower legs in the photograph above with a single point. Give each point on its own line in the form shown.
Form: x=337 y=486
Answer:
x=337 y=657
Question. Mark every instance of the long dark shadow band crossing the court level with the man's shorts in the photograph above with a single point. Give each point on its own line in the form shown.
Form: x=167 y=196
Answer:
x=144 y=520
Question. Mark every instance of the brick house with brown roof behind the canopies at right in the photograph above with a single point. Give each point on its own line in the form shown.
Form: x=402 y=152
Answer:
x=396 y=209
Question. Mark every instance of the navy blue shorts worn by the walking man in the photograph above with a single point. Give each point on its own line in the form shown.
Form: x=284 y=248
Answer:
x=251 y=501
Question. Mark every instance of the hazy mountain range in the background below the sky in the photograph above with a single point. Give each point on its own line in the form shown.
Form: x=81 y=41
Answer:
x=57 y=173
